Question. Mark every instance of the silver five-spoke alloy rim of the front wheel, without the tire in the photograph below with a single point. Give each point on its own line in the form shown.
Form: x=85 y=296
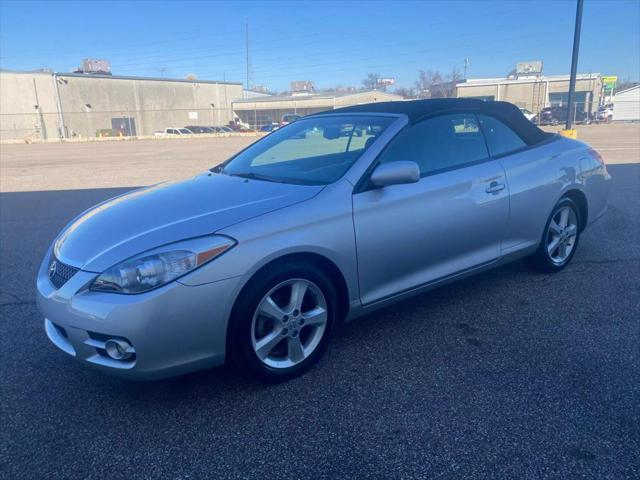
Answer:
x=289 y=323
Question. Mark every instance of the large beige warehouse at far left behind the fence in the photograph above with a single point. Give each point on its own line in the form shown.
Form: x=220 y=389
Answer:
x=45 y=105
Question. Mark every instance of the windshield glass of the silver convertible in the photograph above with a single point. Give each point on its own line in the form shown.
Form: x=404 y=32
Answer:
x=312 y=151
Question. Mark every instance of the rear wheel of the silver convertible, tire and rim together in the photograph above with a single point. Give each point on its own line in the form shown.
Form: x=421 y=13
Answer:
x=560 y=238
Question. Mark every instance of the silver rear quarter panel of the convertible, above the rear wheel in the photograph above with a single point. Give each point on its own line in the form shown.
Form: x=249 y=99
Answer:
x=538 y=177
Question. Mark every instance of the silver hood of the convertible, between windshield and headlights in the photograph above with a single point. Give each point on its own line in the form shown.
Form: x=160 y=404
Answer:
x=169 y=212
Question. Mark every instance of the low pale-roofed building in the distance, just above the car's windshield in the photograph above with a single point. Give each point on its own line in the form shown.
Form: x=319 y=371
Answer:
x=267 y=110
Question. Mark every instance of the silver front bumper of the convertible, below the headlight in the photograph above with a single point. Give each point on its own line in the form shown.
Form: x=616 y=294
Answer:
x=173 y=330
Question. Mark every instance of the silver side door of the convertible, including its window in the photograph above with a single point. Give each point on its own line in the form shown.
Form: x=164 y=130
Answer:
x=451 y=220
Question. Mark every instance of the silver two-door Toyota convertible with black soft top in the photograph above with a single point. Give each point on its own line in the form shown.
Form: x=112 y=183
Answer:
x=321 y=221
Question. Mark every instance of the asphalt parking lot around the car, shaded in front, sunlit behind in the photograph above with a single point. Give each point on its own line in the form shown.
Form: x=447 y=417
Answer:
x=509 y=374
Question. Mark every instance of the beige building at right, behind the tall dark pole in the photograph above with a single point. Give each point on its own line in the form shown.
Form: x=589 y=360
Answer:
x=536 y=92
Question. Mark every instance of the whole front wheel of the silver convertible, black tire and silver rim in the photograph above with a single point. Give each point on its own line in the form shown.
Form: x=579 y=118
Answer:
x=282 y=321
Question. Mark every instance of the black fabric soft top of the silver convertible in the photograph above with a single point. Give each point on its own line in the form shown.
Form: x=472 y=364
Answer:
x=417 y=109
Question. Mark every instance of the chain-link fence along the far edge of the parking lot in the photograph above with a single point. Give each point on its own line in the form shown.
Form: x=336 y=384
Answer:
x=90 y=124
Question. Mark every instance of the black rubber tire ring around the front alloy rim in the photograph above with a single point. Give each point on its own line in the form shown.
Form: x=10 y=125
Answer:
x=239 y=342
